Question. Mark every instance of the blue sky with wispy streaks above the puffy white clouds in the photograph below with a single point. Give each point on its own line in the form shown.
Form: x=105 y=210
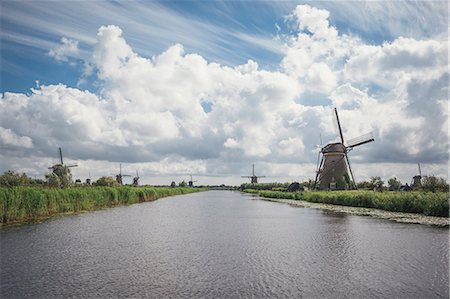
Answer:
x=219 y=31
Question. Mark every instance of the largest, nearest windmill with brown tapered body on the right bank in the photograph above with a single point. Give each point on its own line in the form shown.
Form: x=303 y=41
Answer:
x=334 y=171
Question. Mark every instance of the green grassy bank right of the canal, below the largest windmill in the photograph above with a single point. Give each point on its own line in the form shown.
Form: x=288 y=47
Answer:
x=427 y=203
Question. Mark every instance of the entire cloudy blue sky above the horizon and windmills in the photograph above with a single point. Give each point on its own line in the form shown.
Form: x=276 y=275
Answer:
x=208 y=88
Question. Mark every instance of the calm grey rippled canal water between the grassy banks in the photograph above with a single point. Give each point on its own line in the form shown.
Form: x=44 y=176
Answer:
x=223 y=244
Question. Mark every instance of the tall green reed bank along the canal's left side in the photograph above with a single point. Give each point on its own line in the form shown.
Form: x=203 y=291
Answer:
x=24 y=204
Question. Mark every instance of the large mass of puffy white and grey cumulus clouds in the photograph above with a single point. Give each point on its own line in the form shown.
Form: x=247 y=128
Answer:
x=151 y=110
